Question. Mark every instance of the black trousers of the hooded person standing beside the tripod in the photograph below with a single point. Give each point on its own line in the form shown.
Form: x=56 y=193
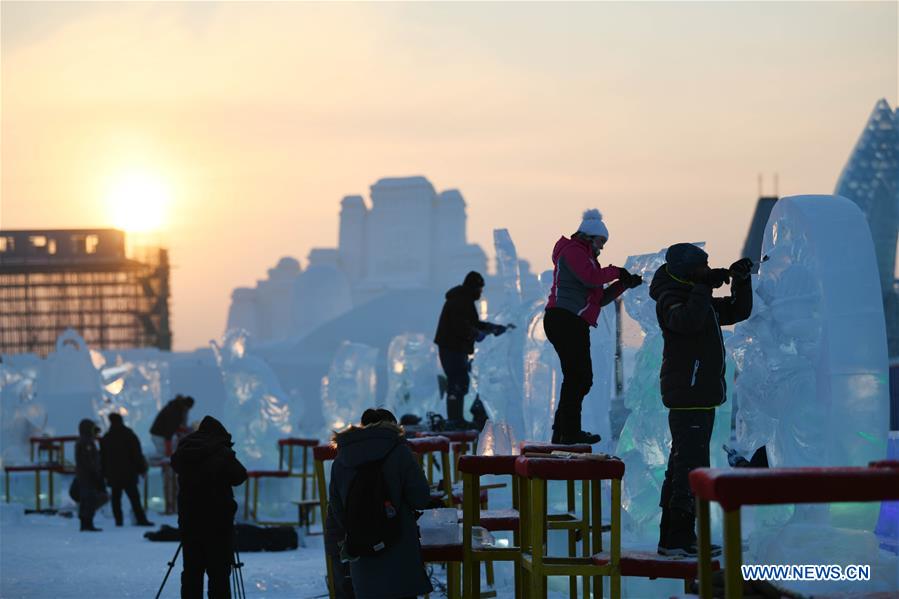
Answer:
x=203 y=555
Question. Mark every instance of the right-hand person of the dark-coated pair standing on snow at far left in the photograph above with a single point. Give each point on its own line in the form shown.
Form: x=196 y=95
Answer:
x=123 y=463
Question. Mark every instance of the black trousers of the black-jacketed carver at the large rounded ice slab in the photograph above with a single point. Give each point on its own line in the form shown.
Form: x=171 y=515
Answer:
x=691 y=434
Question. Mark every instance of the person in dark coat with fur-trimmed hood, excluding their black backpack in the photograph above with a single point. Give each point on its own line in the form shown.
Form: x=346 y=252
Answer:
x=398 y=571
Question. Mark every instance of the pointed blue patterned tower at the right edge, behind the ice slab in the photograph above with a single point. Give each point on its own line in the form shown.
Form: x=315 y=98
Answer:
x=871 y=180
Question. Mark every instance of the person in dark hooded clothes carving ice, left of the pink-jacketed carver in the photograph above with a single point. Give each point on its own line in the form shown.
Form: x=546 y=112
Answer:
x=457 y=330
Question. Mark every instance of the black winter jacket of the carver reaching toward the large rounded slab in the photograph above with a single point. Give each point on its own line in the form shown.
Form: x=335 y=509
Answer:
x=693 y=360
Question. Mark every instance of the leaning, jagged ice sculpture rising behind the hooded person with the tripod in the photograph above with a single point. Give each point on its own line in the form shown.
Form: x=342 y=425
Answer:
x=256 y=412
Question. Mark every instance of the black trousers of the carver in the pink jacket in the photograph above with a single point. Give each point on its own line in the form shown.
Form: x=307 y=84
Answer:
x=570 y=336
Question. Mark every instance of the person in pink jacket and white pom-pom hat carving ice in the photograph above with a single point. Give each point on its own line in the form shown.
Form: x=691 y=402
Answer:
x=581 y=287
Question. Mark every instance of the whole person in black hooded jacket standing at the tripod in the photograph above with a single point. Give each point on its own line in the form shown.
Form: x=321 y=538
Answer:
x=207 y=468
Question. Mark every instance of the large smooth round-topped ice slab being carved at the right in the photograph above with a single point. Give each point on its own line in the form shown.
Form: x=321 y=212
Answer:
x=813 y=381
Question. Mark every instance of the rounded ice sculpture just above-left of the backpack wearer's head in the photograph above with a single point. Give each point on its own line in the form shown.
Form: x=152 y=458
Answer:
x=350 y=385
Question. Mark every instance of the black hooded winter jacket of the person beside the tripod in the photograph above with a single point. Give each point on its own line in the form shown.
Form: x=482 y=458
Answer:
x=207 y=469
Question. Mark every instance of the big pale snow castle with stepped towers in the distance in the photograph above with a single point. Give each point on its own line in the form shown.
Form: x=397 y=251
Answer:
x=409 y=237
